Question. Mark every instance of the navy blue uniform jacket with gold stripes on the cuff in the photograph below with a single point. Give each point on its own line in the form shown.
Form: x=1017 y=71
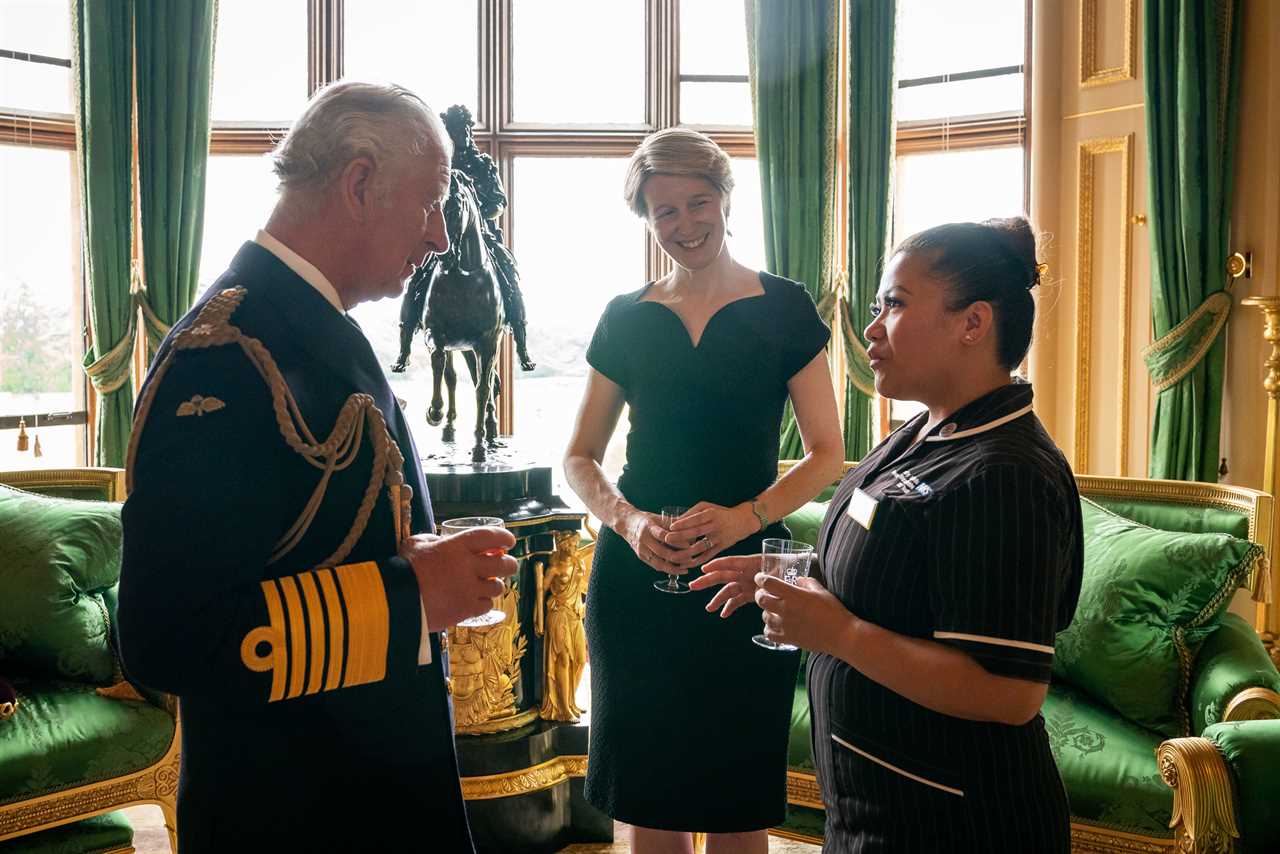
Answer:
x=307 y=721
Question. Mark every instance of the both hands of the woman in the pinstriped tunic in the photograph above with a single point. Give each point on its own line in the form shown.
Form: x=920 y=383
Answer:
x=803 y=614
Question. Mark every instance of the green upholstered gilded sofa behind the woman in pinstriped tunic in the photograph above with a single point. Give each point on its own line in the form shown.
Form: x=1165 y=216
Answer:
x=1215 y=787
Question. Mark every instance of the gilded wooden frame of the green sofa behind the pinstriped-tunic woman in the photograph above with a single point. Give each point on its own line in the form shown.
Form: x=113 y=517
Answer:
x=1204 y=811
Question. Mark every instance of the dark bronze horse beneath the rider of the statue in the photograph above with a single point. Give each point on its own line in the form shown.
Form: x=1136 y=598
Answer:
x=464 y=312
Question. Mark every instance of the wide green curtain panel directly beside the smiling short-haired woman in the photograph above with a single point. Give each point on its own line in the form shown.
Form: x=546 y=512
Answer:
x=793 y=57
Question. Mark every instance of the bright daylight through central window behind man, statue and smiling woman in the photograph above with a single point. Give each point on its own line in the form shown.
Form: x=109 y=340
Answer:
x=560 y=135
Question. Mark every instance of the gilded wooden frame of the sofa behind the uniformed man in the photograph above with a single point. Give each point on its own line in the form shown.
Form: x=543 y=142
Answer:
x=157 y=784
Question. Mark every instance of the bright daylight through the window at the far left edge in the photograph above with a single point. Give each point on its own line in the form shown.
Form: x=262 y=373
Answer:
x=42 y=298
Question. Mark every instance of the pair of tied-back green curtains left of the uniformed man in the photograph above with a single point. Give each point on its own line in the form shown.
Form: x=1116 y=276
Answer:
x=175 y=45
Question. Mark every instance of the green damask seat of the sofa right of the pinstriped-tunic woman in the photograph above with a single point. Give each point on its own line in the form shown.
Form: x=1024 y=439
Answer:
x=1108 y=765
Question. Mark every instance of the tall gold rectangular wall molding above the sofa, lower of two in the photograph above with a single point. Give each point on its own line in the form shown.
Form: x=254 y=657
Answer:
x=1086 y=194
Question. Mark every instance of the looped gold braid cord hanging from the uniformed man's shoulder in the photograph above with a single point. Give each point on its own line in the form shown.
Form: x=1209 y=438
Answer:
x=213 y=328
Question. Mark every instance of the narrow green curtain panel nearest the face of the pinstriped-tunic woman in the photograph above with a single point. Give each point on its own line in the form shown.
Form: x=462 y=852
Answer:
x=871 y=168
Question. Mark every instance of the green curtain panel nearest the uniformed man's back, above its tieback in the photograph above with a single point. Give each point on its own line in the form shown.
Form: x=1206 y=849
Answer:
x=176 y=54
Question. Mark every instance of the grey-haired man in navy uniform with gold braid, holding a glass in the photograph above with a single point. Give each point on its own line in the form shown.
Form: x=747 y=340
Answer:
x=280 y=577
